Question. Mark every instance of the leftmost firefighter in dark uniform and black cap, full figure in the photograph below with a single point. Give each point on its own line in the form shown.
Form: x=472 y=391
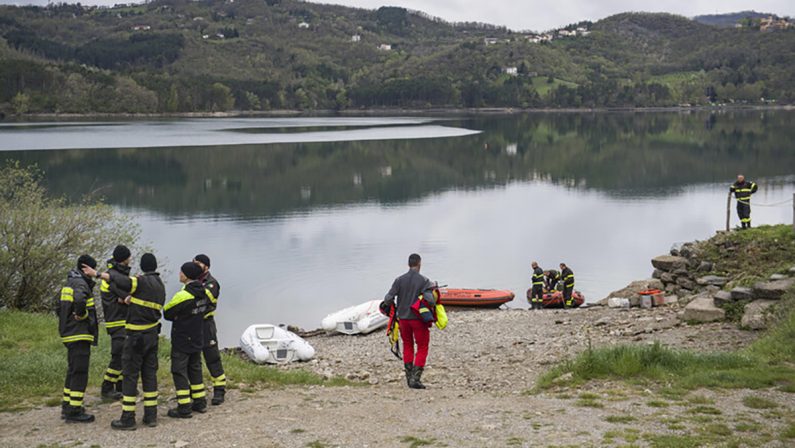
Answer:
x=77 y=325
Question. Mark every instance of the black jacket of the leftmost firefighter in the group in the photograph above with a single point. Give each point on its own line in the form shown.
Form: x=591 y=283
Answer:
x=77 y=302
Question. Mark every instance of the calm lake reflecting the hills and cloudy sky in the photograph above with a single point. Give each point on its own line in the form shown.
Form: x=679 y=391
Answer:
x=304 y=216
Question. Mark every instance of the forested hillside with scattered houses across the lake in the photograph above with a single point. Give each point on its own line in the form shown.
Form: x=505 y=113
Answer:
x=215 y=55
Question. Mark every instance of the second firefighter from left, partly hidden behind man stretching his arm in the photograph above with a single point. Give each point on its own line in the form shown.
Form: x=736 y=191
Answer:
x=115 y=312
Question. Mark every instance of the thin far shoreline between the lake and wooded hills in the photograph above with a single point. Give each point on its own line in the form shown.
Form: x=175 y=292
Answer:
x=382 y=112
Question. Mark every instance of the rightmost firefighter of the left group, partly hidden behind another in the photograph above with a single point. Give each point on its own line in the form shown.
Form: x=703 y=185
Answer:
x=212 y=355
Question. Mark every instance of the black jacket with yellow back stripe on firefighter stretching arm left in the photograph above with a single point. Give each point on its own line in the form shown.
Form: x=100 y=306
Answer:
x=146 y=304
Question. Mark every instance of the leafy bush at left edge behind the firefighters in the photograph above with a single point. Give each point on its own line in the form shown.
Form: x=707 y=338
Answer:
x=41 y=237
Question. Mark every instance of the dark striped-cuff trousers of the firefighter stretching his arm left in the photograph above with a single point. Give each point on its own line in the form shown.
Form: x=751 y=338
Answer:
x=140 y=358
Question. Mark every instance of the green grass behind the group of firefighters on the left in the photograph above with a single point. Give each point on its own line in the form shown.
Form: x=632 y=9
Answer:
x=34 y=364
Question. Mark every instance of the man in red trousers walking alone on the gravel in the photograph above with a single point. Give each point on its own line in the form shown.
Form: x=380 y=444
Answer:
x=407 y=289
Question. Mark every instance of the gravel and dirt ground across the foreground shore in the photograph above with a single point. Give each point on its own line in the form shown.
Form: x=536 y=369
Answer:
x=479 y=369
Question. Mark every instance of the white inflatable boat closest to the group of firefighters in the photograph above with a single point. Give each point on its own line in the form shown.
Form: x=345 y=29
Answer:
x=265 y=343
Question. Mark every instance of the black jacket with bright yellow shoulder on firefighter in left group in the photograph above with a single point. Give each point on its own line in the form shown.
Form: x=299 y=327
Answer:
x=186 y=309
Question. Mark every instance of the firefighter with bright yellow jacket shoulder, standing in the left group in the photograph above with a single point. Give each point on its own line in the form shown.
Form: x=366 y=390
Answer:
x=186 y=310
